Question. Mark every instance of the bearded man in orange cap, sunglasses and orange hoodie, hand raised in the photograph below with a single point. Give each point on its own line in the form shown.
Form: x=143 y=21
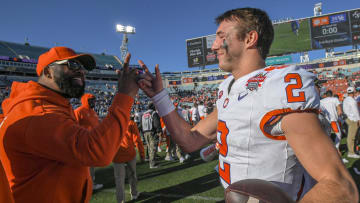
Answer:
x=46 y=154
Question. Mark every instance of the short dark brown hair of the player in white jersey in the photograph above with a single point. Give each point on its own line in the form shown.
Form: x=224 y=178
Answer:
x=251 y=19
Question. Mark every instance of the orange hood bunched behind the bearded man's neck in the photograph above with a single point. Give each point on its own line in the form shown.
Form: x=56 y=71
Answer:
x=21 y=92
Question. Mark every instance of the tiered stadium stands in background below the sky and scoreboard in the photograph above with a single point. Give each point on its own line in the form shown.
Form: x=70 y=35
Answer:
x=18 y=62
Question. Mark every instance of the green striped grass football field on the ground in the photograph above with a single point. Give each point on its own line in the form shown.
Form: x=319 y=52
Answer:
x=192 y=181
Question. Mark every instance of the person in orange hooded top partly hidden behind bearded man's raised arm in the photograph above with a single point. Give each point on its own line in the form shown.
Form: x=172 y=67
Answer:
x=87 y=117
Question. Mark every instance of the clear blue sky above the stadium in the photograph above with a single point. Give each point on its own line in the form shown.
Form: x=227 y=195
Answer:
x=162 y=25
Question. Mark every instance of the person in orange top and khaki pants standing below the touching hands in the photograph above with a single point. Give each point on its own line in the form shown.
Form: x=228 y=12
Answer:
x=125 y=159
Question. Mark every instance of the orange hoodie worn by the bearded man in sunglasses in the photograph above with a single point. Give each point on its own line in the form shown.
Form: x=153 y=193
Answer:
x=45 y=153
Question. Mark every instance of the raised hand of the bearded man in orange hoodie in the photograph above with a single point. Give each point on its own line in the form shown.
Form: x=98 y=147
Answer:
x=127 y=79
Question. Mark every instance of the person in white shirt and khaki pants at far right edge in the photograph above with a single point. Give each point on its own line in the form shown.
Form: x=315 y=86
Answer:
x=353 y=120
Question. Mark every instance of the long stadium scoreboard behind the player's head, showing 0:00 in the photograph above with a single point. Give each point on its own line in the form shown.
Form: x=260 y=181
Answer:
x=294 y=36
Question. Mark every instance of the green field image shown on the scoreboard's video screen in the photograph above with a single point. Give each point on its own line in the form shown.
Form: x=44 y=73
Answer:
x=286 y=41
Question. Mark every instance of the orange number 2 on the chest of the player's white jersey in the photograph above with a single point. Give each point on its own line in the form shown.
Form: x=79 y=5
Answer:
x=225 y=170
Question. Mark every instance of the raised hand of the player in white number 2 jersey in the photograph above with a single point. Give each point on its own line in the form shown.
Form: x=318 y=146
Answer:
x=149 y=83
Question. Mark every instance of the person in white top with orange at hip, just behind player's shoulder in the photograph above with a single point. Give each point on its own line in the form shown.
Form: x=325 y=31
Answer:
x=333 y=106
